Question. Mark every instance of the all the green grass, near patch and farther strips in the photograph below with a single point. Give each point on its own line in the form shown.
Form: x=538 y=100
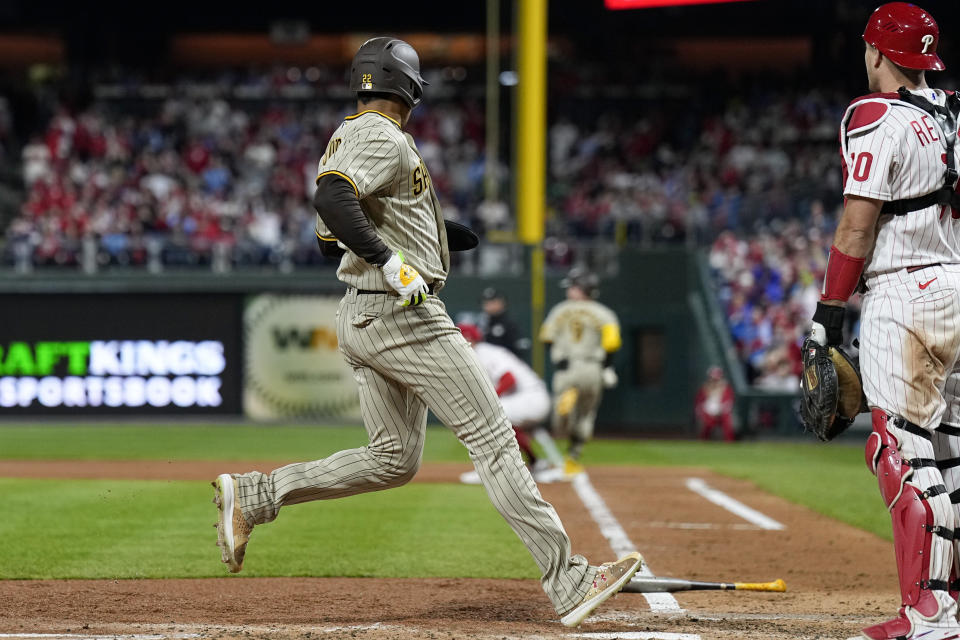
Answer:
x=105 y=529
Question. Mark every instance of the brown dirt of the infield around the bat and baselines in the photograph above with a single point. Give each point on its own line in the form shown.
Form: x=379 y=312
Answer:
x=839 y=578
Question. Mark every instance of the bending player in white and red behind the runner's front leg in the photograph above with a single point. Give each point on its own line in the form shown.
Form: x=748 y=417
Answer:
x=525 y=400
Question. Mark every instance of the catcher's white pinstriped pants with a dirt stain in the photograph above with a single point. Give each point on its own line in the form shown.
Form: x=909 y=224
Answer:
x=910 y=361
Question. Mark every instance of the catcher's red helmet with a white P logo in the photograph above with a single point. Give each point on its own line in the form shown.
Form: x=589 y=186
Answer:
x=906 y=34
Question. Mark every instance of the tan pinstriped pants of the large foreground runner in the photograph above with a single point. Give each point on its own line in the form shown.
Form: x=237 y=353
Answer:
x=406 y=360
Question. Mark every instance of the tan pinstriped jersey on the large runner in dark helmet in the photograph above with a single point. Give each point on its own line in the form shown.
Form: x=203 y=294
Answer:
x=395 y=192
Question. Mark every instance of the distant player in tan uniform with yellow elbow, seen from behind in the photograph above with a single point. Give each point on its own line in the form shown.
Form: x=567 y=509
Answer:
x=583 y=335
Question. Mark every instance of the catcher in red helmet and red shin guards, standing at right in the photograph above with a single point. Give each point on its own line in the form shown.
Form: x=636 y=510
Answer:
x=900 y=232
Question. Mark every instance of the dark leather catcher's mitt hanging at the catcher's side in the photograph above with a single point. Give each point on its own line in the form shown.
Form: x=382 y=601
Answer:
x=832 y=390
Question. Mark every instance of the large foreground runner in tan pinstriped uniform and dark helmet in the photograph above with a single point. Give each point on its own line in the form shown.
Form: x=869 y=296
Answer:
x=375 y=199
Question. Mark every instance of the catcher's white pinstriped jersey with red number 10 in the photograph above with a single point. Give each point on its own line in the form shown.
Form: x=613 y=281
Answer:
x=893 y=151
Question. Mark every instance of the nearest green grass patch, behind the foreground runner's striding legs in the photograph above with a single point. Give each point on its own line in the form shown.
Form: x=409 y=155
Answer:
x=150 y=529
